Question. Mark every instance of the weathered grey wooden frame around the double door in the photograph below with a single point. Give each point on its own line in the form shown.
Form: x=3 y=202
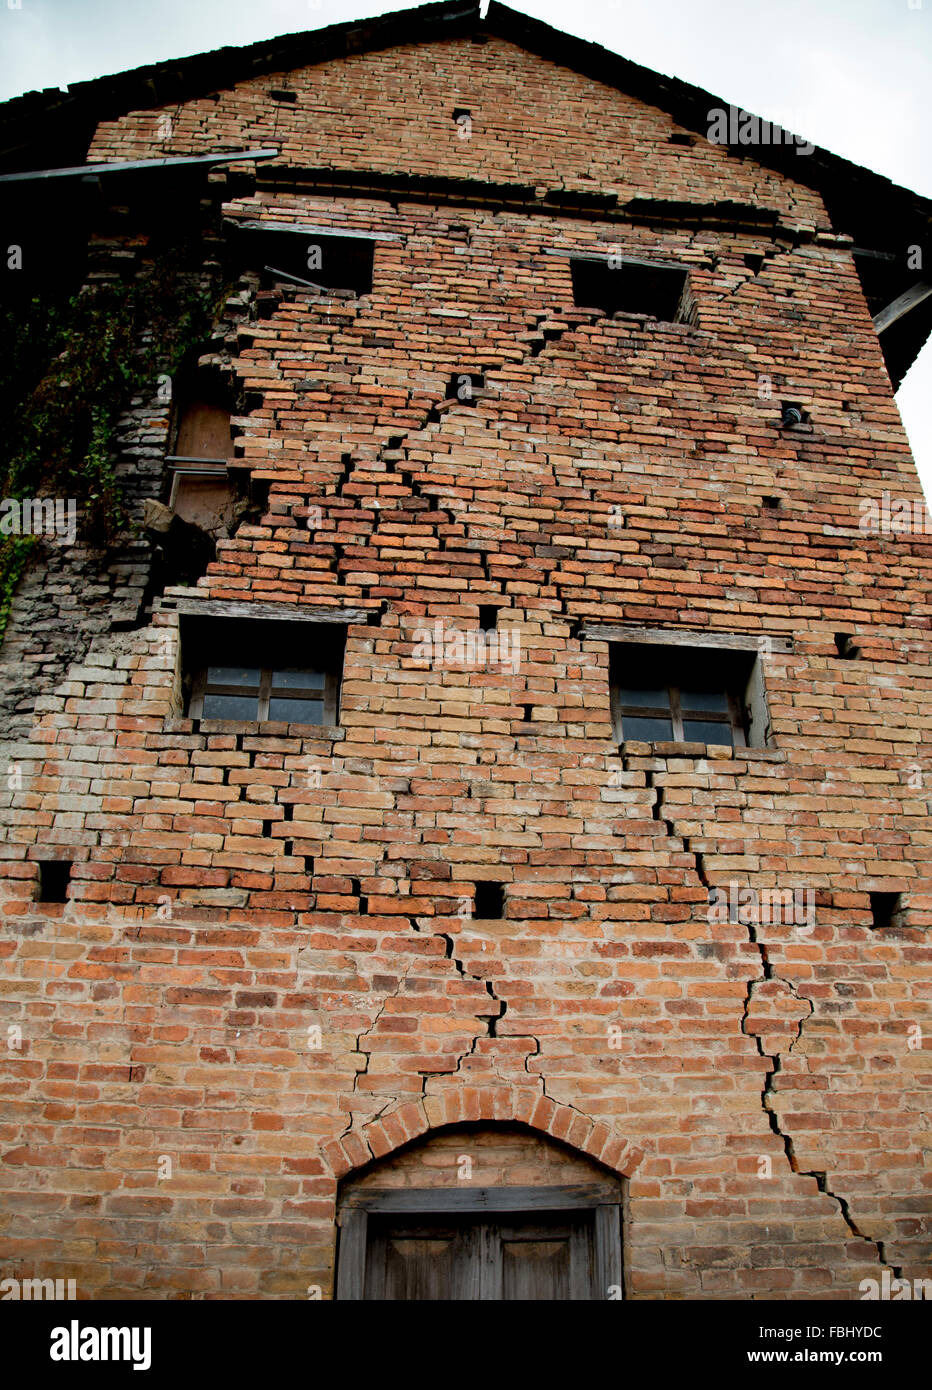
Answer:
x=602 y=1199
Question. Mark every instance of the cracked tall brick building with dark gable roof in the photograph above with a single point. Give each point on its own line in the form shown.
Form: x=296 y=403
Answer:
x=467 y=832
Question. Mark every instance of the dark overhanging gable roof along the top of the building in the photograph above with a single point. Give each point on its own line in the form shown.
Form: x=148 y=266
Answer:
x=55 y=129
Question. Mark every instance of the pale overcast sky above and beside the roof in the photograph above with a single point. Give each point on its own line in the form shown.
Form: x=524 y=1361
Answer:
x=852 y=76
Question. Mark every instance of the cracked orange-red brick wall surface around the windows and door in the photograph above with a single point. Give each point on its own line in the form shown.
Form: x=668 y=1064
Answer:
x=759 y=1089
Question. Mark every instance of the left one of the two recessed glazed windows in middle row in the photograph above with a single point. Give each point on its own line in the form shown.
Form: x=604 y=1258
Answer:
x=247 y=671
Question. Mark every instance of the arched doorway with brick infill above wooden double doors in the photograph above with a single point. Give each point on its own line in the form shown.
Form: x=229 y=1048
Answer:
x=492 y=1213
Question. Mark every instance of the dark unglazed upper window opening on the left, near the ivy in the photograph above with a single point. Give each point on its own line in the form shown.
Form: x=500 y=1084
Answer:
x=322 y=261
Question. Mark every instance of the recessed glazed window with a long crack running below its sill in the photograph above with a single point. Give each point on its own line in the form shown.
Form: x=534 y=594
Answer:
x=688 y=696
